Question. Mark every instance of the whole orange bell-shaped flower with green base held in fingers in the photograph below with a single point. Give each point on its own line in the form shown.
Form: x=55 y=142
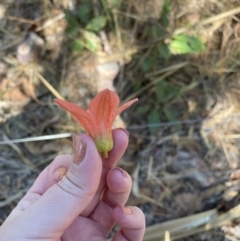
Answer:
x=98 y=119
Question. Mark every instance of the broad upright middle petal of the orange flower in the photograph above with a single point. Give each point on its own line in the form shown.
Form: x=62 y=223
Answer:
x=104 y=105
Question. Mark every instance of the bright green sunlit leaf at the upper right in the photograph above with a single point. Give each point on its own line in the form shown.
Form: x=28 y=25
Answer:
x=184 y=44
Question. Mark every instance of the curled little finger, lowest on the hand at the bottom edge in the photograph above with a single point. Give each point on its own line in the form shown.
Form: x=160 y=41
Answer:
x=132 y=225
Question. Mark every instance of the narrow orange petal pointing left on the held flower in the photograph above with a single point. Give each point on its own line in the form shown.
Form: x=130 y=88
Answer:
x=85 y=118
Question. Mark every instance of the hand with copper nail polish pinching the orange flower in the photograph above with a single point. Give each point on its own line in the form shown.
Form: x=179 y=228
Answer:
x=78 y=202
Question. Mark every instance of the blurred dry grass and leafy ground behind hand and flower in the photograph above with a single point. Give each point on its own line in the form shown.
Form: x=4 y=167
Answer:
x=179 y=57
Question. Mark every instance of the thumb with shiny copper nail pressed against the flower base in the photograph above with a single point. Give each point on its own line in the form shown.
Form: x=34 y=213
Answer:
x=64 y=201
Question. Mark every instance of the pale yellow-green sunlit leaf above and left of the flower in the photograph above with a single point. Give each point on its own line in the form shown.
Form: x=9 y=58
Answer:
x=91 y=41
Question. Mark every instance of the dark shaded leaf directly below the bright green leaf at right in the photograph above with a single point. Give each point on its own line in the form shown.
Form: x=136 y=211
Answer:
x=166 y=91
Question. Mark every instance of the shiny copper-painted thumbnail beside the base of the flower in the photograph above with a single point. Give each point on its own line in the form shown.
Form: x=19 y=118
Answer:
x=79 y=149
